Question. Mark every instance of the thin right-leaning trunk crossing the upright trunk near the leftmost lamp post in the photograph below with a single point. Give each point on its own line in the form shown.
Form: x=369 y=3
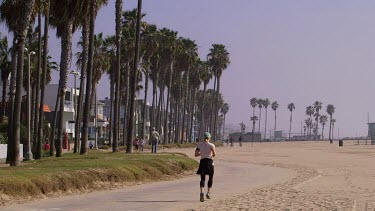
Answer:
x=44 y=74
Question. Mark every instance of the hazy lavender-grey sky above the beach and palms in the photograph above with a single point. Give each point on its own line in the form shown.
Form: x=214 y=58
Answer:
x=295 y=51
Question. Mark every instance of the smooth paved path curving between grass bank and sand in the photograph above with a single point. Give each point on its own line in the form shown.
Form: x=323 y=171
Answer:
x=231 y=178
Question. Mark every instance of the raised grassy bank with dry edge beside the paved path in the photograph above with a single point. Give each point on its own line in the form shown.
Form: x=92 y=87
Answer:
x=74 y=172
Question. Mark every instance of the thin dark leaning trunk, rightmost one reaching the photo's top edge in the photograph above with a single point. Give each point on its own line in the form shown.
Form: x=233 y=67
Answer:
x=129 y=145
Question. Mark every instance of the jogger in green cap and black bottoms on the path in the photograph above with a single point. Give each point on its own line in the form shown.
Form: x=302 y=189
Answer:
x=206 y=165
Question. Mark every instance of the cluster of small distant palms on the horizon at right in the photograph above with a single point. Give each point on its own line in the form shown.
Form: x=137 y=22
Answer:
x=313 y=110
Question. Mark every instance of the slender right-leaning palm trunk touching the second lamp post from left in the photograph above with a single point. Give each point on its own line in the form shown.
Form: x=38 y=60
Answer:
x=85 y=44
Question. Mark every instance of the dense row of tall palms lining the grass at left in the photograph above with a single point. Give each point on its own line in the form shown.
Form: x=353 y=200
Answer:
x=137 y=51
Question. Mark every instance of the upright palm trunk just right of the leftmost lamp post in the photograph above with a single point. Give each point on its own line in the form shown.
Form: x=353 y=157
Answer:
x=38 y=147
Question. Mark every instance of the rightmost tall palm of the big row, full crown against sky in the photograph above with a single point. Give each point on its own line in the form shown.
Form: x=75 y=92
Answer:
x=219 y=61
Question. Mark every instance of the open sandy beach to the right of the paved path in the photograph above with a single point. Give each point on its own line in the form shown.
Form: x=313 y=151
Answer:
x=328 y=177
